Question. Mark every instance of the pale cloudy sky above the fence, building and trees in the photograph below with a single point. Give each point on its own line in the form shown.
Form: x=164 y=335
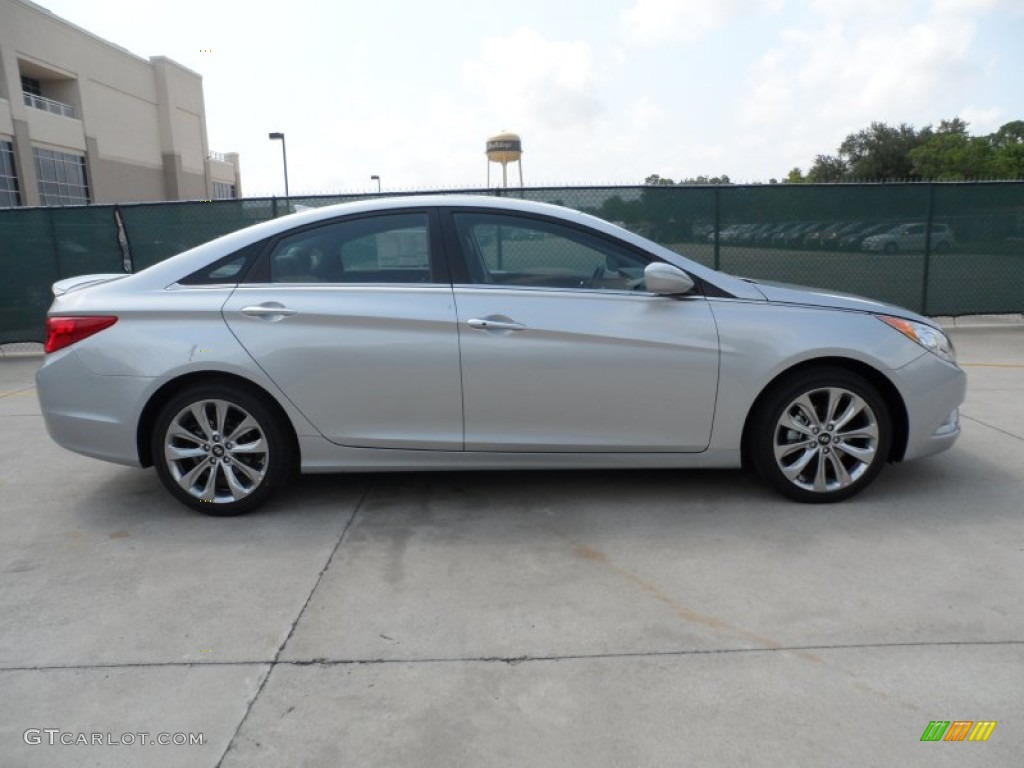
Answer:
x=602 y=92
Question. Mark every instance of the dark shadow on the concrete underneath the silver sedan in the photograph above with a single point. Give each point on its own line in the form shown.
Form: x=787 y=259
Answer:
x=963 y=479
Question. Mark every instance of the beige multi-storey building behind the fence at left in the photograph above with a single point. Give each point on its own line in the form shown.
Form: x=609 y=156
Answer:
x=86 y=121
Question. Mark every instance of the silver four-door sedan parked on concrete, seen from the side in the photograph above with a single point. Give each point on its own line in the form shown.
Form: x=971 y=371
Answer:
x=457 y=332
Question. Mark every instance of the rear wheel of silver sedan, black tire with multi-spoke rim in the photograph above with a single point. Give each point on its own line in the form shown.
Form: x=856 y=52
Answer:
x=234 y=481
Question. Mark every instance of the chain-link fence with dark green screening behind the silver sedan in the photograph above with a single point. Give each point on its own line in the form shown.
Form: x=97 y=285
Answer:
x=937 y=248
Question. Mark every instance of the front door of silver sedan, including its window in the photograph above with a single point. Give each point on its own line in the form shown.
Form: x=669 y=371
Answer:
x=564 y=350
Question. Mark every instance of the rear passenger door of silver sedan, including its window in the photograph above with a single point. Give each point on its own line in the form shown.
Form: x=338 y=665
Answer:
x=355 y=321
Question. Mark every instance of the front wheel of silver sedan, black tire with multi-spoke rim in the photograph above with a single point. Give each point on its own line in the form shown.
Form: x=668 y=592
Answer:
x=815 y=464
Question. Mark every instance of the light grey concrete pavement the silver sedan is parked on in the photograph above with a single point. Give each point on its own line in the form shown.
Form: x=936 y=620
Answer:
x=557 y=619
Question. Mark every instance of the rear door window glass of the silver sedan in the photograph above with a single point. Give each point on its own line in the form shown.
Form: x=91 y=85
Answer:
x=394 y=248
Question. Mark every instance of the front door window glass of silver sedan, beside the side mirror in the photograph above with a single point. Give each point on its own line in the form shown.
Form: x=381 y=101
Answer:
x=509 y=250
